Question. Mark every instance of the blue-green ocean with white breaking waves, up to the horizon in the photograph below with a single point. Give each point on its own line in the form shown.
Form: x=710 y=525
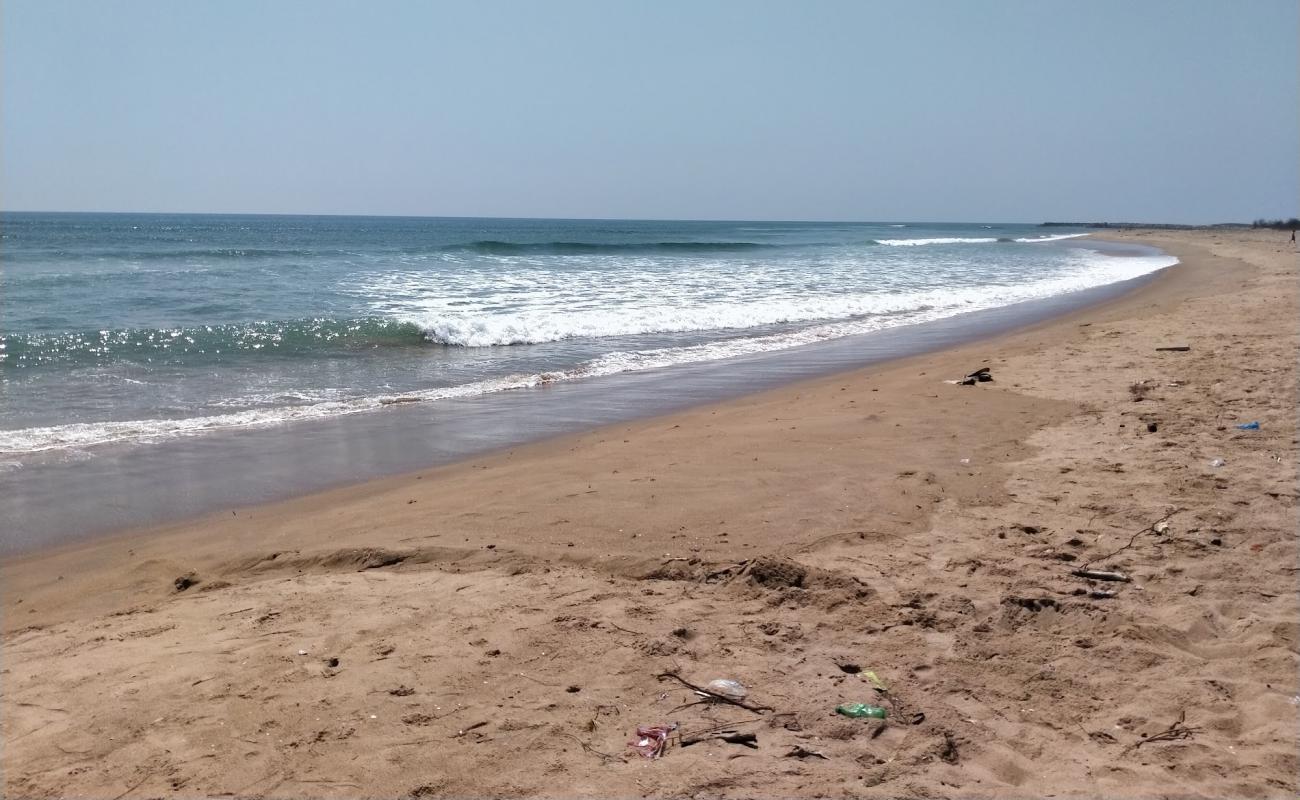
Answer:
x=128 y=334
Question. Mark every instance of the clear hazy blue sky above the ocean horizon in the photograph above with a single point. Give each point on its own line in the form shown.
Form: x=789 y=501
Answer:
x=1181 y=111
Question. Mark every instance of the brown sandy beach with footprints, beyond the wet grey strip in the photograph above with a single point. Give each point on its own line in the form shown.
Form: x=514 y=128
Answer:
x=500 y=628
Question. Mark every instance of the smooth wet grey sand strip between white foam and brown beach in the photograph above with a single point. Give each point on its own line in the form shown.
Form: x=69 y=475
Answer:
x=125 y=488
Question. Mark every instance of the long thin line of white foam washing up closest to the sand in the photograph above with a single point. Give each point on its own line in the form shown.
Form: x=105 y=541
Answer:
x=1089 y=270
